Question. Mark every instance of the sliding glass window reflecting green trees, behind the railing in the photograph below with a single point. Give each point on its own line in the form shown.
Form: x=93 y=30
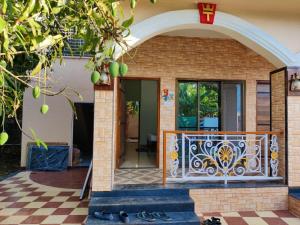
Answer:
x=210 y=105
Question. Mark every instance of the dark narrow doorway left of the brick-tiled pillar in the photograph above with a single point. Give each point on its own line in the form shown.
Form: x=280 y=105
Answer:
x=83 y=129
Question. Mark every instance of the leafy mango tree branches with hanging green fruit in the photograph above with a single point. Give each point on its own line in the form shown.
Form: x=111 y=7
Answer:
x=33 y=34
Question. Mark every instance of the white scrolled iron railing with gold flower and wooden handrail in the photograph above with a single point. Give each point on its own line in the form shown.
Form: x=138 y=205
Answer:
x=220 y=156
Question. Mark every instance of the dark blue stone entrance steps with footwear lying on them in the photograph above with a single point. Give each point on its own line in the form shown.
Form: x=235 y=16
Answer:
x=175 y=202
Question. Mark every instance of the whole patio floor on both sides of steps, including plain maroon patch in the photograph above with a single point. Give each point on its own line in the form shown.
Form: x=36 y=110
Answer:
x=25 y=199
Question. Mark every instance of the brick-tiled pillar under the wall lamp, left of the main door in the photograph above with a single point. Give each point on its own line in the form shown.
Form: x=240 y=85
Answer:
x=103 y=141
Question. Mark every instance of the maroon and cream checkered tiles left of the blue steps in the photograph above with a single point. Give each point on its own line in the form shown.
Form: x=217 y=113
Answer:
x=23 y=201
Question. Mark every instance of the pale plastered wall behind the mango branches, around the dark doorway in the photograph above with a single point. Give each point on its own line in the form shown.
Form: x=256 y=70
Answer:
x=57 y=124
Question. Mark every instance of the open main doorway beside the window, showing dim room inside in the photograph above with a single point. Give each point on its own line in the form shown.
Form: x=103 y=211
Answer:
x=138 y=107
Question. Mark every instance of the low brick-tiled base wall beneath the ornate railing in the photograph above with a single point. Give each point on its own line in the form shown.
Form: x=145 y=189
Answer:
x=240 y=199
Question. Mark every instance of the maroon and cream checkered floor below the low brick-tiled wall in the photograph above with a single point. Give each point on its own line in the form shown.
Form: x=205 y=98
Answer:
x=255 y=218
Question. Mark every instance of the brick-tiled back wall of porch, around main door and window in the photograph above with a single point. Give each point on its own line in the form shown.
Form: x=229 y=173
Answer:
x=171 y=58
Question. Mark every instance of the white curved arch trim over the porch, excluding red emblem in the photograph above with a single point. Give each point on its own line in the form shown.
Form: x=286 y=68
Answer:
x=233 y=26
